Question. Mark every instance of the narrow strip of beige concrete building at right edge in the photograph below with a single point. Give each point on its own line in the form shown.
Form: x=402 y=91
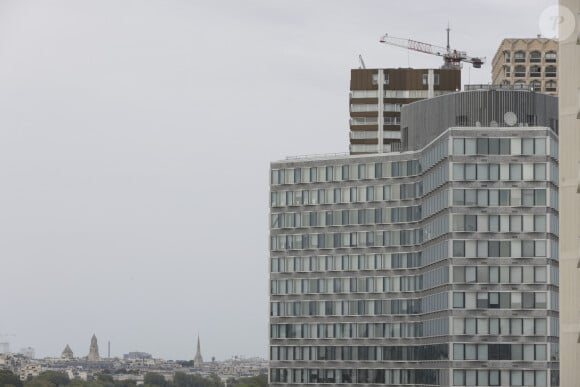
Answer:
x=569 y=98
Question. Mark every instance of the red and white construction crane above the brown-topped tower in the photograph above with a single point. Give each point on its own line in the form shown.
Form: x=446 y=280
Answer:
x=452 y=58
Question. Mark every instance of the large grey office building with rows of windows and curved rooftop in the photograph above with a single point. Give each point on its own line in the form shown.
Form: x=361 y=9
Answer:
x=434 y=266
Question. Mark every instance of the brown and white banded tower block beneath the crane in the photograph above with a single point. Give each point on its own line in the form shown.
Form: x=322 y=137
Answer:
x=376 y=98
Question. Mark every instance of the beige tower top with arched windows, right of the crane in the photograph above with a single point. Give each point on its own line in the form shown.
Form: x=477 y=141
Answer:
x=527 y=63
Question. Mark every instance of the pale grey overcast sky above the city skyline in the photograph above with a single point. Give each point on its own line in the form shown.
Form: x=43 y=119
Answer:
x=135 y=140
